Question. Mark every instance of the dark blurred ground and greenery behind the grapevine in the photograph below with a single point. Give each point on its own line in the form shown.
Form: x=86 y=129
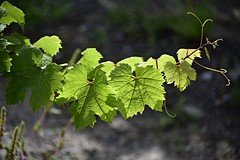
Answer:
x=207 y=125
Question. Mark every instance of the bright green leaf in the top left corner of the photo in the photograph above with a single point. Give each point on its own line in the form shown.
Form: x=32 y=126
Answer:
x=14 y=14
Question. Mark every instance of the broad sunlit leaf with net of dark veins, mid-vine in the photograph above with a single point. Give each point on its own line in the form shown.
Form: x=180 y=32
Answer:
x=134 y=92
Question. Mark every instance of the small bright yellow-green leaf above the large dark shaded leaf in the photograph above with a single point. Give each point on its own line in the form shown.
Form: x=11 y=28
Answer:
x=50 y=44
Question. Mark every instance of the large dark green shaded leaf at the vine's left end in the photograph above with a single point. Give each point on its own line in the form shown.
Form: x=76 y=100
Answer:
x=25 y=74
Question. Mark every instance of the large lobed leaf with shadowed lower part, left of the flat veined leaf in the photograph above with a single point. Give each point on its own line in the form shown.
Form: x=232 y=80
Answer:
x=89 y=95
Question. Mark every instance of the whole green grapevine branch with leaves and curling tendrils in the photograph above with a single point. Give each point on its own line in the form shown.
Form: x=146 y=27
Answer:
x=91 y=86
